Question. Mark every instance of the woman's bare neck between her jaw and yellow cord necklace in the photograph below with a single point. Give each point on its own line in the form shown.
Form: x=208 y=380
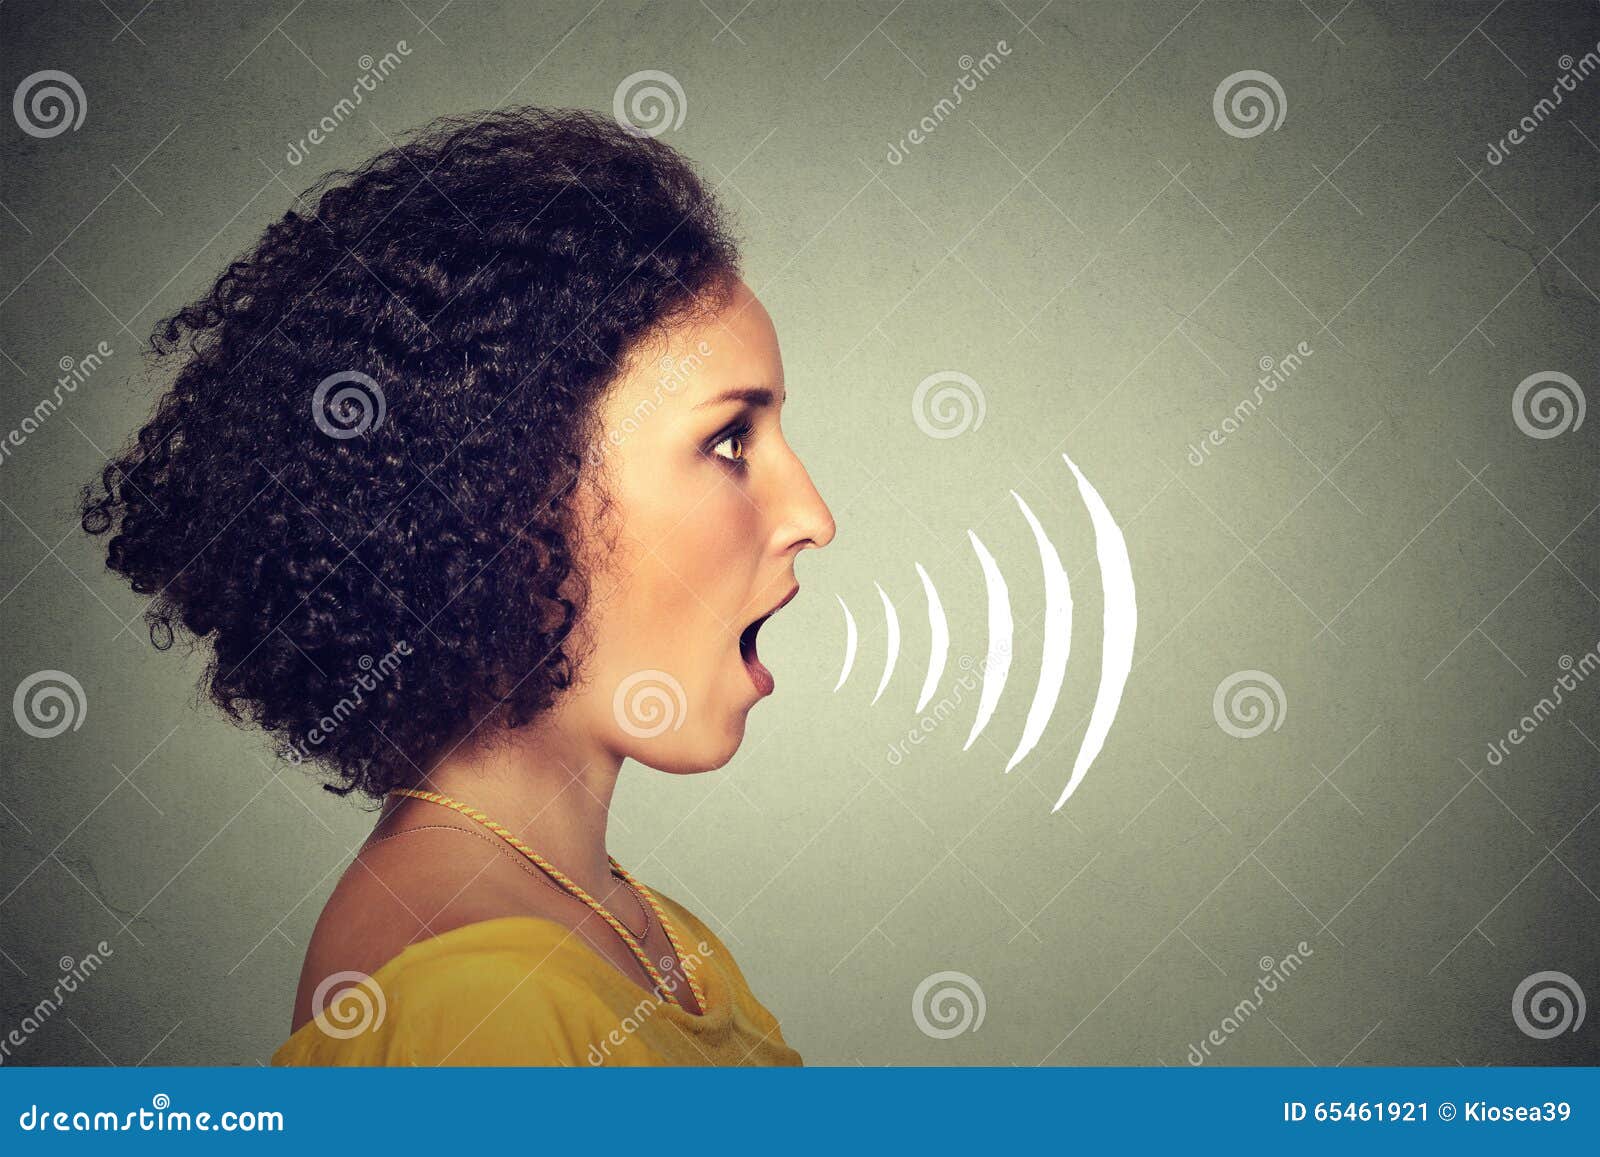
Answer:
x=548 y=791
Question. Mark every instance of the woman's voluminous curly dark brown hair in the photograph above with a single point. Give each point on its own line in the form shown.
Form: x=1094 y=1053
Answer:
x=354 y=490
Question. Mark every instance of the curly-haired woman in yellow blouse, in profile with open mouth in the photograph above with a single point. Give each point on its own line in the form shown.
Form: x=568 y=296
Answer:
x=473 y=479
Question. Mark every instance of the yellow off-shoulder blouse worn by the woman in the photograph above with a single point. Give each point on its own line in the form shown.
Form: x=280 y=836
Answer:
x=529 y=991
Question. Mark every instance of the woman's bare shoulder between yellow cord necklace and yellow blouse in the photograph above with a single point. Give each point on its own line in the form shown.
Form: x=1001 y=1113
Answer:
x=410 y=887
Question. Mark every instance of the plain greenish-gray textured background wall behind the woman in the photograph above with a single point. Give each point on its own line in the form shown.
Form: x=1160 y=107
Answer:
x=1110 y=266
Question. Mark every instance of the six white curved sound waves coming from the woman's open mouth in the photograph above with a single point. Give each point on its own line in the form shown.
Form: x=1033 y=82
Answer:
x=1119 y=628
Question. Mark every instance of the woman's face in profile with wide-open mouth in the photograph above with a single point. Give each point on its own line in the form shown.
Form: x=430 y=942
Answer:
x=710 y=508
